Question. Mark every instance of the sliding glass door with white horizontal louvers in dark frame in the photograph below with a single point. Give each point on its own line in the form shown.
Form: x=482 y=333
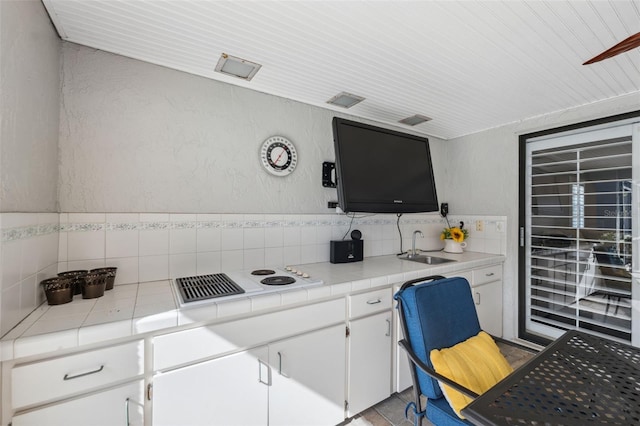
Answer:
x=579 y=230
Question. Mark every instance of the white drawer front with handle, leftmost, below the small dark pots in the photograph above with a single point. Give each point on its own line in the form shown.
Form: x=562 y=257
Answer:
x=57 y=378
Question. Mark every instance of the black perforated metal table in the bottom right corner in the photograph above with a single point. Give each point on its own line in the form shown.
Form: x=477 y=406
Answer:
x=579 y=379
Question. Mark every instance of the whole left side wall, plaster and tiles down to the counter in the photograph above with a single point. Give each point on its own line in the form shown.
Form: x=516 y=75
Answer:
x=29 y=110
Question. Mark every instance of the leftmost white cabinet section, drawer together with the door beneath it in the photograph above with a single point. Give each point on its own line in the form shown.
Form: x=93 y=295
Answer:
x=98 y=387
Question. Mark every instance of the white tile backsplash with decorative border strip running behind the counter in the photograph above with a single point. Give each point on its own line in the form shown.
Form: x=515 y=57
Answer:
x=150 y=247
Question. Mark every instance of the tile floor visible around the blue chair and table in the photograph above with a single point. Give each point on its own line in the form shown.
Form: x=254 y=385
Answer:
x=390 y=412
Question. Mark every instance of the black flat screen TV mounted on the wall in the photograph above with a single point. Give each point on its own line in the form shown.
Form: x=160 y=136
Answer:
x=382 y=171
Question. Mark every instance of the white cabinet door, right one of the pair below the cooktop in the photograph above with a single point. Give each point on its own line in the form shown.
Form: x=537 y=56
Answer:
x=308 y=379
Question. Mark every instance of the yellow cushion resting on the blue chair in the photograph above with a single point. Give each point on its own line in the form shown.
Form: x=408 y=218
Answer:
x=476 y=364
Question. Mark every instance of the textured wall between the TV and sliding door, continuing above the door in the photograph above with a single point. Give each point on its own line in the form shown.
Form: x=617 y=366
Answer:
x=482 y=174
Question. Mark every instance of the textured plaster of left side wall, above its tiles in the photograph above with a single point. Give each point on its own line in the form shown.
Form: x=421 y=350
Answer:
x=29 y=107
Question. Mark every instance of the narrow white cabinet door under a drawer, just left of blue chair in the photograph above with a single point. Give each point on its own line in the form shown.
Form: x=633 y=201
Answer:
x=369 y=362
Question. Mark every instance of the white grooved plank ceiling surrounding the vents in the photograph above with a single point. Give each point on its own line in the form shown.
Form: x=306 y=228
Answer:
x=470 y=65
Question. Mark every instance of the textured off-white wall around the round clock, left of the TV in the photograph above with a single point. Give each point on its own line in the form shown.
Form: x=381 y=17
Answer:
x=136 y=137
